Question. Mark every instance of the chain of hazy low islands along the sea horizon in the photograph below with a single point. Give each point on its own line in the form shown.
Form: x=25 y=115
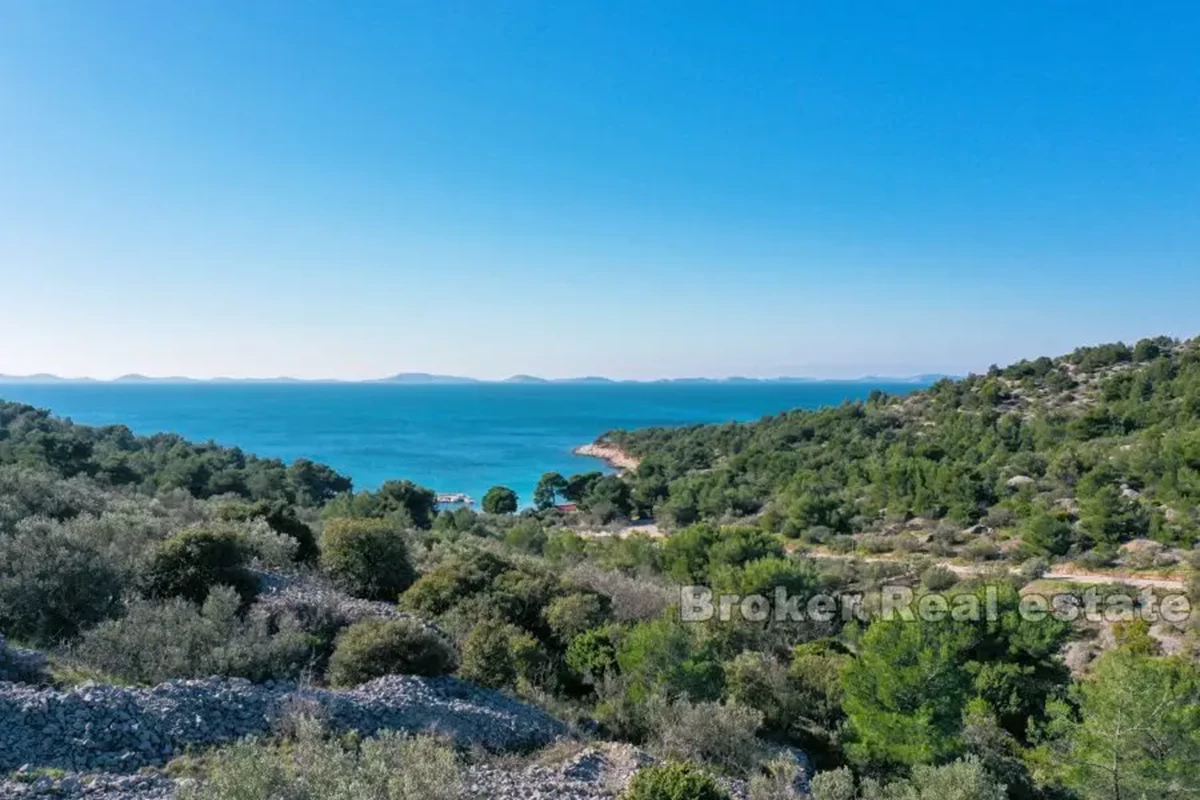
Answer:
x=433 y=380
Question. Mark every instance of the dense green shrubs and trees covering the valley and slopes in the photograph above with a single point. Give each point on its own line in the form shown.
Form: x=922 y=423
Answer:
x=141 y=560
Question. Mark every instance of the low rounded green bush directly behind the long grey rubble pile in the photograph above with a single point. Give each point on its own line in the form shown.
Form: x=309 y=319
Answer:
x=375 y=648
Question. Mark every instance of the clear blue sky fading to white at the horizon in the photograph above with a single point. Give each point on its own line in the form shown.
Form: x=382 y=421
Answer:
x=633 y=189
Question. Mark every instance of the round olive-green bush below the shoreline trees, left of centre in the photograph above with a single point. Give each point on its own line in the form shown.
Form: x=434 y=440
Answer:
x=367 y=558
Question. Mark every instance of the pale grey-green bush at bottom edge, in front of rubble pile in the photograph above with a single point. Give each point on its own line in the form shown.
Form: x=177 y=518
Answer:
x=389 y=767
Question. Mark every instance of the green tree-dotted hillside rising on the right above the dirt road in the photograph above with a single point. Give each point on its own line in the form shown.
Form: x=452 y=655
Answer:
x=1106 y=438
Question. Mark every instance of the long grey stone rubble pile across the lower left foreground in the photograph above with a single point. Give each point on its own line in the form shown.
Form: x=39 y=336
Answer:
x=119 y=730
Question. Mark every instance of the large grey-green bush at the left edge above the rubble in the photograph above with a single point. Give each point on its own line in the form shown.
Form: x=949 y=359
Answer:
x=52 y=586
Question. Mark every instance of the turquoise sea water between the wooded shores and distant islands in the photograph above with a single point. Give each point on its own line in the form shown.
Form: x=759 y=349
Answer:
x=452 y=438
